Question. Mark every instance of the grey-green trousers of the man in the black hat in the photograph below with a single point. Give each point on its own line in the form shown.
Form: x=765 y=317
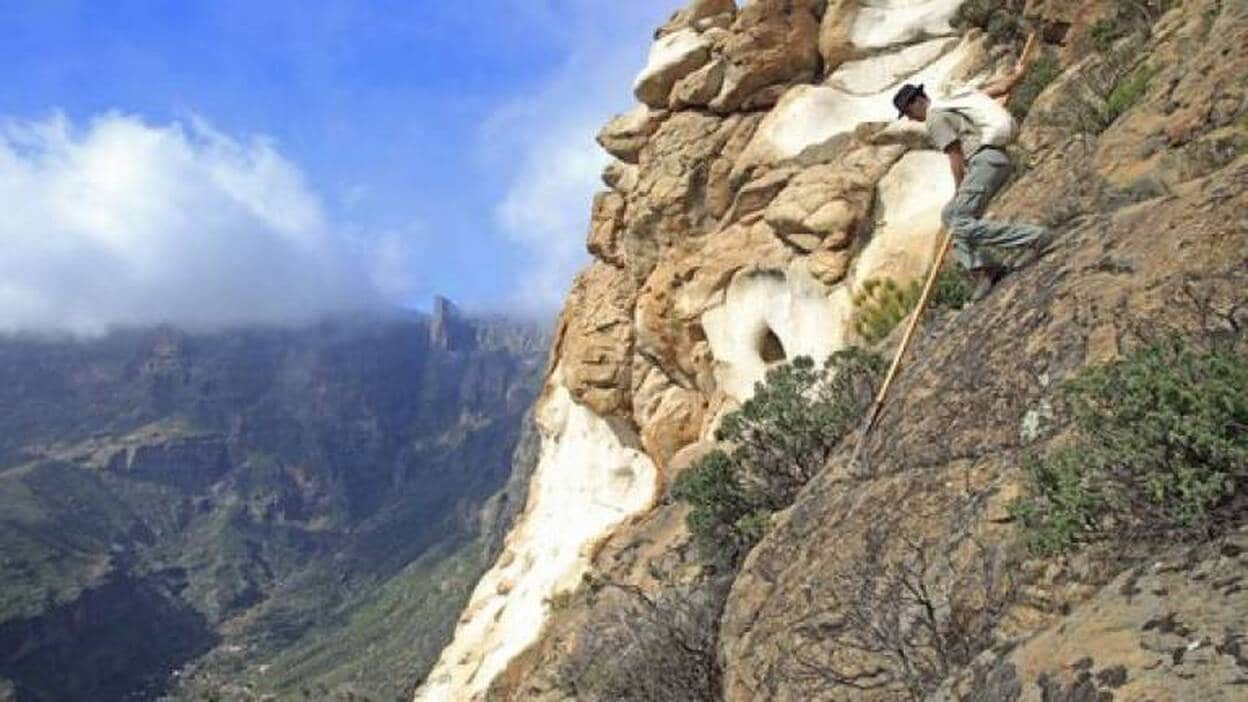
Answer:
x=987 y=172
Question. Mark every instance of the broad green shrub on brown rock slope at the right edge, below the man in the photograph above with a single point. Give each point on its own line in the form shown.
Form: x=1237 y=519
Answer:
x=1161 y=447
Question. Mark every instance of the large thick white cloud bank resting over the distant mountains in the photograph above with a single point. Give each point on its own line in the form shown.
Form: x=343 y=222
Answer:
x=125 y=223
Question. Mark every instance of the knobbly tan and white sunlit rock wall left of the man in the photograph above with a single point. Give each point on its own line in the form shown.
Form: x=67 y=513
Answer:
x=759 y=183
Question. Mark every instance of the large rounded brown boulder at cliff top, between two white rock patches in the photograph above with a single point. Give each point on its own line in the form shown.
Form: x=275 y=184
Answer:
x=773 y=43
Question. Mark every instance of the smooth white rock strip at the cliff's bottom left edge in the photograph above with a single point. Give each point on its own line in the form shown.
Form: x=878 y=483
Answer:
x=587 y=482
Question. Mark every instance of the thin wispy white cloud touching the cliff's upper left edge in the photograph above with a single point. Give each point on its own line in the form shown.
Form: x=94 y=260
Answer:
x=546 y=141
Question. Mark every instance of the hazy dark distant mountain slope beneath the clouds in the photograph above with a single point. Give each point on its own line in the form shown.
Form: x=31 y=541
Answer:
x=283 y=509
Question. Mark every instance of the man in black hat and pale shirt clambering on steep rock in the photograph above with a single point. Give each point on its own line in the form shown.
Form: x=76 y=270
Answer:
x=974 y=129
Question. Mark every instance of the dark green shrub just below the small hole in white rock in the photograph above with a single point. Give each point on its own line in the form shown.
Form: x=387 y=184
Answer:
x=777 y=442
